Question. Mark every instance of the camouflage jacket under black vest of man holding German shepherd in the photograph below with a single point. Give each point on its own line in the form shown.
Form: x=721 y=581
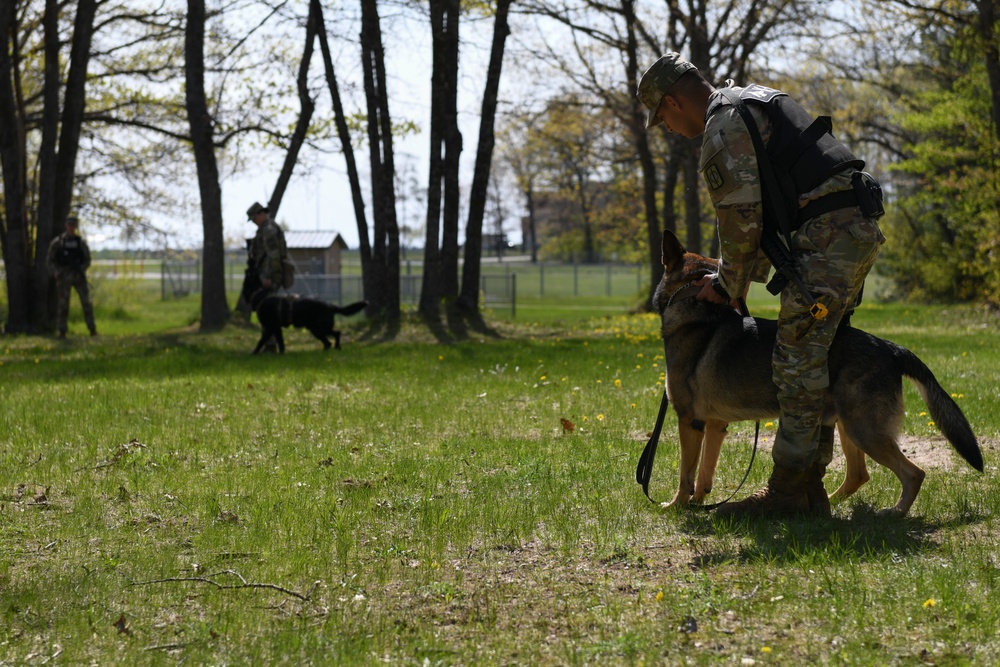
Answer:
x=729 y=167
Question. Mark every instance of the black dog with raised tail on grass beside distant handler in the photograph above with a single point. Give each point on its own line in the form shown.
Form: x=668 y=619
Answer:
x=275 y=312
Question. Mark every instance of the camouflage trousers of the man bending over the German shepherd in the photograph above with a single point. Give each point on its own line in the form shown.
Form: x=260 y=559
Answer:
x=833 y=253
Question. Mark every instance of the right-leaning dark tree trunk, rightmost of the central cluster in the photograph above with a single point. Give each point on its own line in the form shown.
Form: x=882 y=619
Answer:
x=469 y=298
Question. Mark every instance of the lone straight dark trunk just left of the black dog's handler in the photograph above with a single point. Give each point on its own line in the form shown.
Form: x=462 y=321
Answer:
x=214 y=307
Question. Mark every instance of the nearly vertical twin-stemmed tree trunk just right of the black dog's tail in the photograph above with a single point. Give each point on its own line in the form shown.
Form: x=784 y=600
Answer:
x=385 y=242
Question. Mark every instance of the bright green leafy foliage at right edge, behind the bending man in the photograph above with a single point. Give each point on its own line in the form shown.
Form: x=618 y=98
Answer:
x=944 y=227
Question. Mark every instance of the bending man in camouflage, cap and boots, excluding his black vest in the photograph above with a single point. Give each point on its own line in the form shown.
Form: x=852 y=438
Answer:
x=833 y=253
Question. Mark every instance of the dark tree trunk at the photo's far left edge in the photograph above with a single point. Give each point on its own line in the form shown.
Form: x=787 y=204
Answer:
x=12 y=160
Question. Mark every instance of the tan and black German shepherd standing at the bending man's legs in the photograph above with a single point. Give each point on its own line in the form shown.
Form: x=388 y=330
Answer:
x=719 y=371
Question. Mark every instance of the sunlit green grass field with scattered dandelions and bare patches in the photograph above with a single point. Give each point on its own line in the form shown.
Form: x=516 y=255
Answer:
x=166 y=498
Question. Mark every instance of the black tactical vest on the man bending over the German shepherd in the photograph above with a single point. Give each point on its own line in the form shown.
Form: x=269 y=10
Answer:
x=803 y=150
